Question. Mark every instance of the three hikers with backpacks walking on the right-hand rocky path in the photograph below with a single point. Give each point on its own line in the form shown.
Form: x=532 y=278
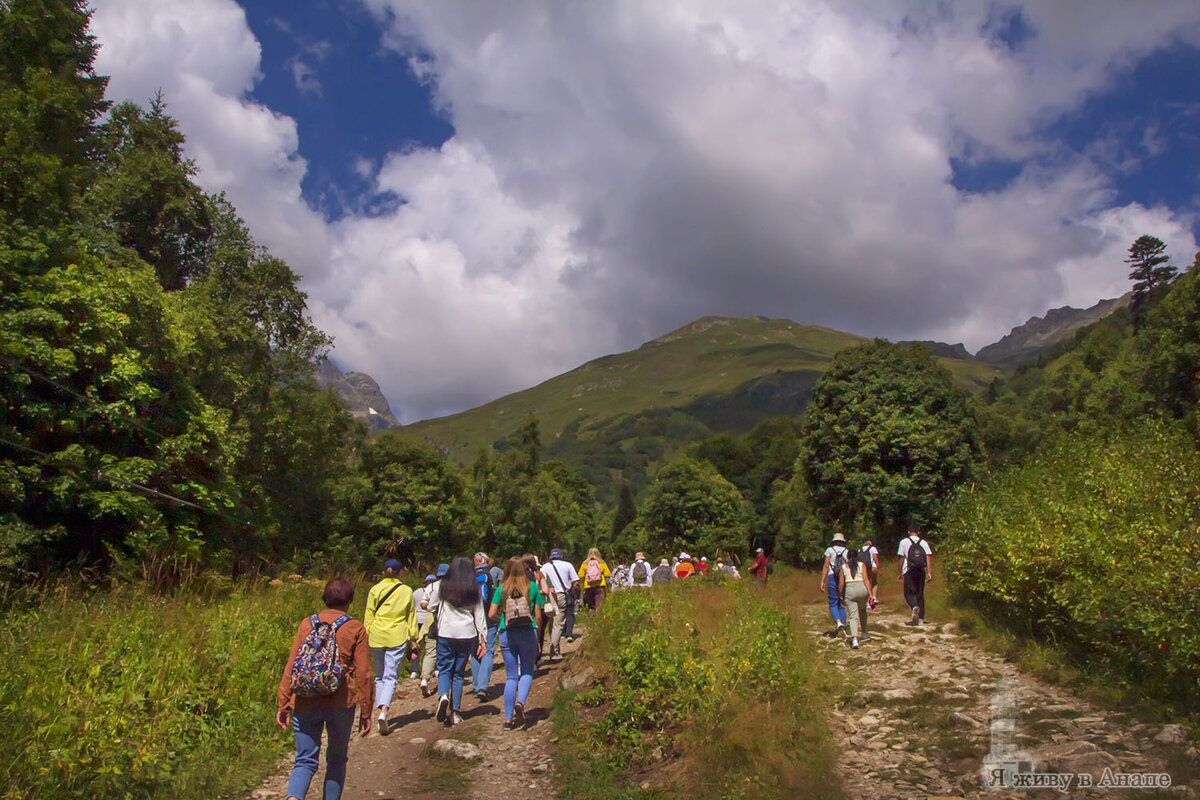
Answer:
x=850 y=580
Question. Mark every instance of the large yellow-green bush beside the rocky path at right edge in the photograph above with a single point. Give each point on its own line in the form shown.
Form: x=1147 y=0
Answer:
x=1094 y=545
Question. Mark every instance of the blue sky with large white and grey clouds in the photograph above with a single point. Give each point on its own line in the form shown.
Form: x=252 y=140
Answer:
x=479 y=196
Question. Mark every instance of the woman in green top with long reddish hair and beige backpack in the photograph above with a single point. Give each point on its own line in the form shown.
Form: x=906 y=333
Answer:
x=518 y=604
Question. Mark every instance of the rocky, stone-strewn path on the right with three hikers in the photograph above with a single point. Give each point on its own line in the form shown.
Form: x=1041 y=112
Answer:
x=926 y=713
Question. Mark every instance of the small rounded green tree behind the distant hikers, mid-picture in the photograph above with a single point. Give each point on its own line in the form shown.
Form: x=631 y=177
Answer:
x=691 y=507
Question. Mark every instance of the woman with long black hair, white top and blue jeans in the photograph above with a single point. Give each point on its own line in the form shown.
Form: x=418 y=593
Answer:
x=463 y=633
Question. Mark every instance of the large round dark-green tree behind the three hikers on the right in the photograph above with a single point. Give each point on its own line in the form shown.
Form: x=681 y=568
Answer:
x=887 y=438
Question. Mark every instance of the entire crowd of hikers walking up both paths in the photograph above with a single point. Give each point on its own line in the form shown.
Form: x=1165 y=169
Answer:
x=470 y=606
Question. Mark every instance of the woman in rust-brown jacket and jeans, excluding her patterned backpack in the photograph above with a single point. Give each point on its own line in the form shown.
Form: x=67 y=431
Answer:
x=333 y=713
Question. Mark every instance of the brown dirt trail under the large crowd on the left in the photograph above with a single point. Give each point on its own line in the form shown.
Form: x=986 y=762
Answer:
x=404 y=766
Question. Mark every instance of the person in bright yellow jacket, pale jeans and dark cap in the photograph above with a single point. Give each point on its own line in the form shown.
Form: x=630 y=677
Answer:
x=391 y=621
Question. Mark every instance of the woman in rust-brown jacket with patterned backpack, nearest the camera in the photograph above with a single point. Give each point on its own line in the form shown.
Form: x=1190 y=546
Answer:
x=301 y=705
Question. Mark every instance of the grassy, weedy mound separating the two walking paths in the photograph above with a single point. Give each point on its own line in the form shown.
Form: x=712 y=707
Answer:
x=704 y=690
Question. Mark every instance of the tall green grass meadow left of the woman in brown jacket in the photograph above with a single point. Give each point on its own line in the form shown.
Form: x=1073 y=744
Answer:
x=127 y=694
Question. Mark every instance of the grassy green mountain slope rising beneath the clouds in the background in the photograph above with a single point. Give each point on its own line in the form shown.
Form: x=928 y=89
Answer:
x=622 y=414
